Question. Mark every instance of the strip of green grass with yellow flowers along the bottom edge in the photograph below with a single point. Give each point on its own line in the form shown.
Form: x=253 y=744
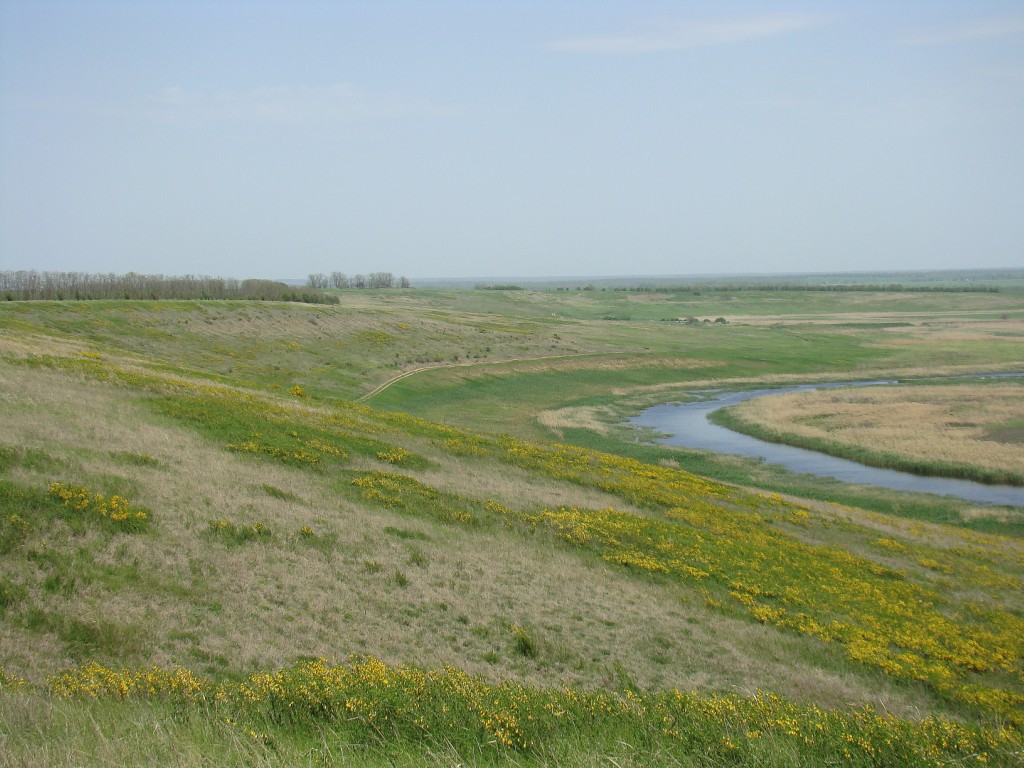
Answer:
x=367 y=713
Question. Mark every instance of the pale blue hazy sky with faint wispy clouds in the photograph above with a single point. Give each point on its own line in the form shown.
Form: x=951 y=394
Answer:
x=479 y=139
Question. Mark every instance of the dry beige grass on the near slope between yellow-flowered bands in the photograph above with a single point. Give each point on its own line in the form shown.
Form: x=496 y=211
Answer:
x=215 y=608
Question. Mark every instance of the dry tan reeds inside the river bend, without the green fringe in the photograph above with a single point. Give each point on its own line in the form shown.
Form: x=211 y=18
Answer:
x=947 y=424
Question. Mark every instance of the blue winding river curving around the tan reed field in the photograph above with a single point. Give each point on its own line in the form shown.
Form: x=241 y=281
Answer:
x=687 y=426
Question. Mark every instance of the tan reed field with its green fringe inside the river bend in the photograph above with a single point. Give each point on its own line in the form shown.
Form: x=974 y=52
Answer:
x=971 y=432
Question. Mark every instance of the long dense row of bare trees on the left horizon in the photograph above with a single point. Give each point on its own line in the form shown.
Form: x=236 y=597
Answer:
x=27 y=285
